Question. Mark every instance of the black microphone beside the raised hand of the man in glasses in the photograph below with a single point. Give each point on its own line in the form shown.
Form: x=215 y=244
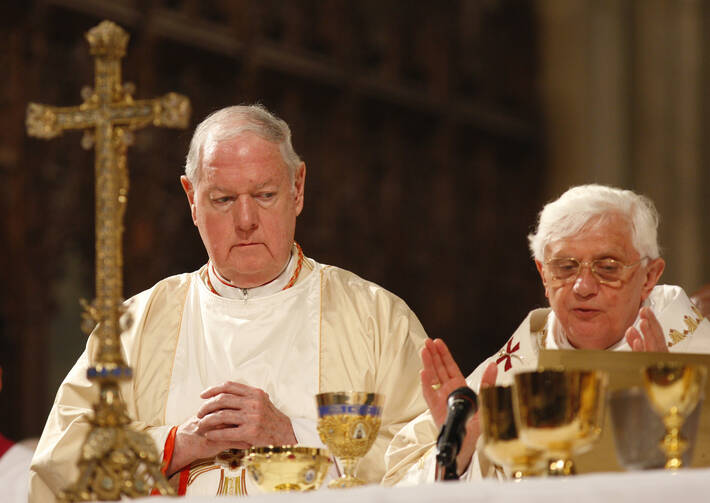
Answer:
x=462 y=404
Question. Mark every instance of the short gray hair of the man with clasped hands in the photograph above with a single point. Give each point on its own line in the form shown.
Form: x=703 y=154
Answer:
x=233 y=121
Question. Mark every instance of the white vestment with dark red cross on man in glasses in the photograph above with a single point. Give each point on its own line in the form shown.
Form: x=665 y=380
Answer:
x=411 y=457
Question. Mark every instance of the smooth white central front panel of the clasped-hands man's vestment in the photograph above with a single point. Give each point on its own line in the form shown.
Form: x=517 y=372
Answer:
x=268 y=341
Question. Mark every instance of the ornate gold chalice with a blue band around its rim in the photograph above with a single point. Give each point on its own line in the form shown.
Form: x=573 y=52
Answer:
x=348 y=422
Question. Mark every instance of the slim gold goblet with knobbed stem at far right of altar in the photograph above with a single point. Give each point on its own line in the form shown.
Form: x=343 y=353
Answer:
x=674 y=389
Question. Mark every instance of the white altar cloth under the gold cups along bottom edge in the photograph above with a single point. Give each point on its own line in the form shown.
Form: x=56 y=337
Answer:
x=653 y=486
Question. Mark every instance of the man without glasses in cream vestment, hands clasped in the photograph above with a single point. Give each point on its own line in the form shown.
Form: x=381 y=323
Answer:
x=231 y=355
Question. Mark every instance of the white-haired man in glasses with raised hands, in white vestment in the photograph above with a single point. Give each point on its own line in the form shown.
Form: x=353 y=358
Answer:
x=597 y=254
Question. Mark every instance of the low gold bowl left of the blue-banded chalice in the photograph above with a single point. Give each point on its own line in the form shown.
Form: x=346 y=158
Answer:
x=287 y=468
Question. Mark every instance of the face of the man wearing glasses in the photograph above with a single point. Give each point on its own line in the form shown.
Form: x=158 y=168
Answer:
x=592 y=314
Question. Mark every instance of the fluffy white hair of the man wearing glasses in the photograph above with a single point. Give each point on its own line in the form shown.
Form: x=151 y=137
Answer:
x=567 y=216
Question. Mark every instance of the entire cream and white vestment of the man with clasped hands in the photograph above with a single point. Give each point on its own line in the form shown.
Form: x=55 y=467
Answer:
x=331 y=331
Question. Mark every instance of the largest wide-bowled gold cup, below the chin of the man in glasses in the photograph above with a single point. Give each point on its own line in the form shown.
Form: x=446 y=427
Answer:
x=560 y=412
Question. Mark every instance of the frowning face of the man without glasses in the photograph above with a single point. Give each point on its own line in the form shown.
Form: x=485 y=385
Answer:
x=245 y=208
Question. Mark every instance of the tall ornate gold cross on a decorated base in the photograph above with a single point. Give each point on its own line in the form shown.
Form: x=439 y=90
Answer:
x=115 y=459
